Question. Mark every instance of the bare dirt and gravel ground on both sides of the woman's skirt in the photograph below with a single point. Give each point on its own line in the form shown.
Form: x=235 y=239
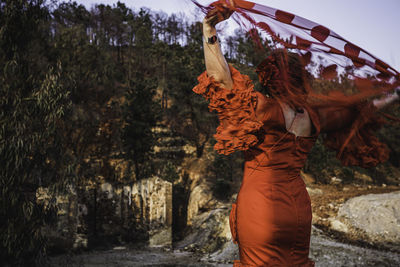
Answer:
x=328 y=248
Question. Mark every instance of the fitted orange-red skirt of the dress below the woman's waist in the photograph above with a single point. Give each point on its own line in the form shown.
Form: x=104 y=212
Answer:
x=271 y=222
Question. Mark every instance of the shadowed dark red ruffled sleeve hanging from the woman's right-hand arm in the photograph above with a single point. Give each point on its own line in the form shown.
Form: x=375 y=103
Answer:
x=357 y=144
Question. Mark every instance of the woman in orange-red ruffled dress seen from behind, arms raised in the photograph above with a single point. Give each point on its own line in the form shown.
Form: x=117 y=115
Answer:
x=271 y=219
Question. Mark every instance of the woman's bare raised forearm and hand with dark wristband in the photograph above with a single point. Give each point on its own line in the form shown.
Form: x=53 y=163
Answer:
x=216 y=65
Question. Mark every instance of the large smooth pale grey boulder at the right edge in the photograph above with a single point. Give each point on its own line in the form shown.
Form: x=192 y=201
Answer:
x=375 y=215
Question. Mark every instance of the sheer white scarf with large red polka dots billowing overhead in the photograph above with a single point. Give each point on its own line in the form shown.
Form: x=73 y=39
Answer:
x=296 y=32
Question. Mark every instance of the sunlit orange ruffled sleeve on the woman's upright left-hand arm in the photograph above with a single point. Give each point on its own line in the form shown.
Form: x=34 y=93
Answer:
x=236 y=111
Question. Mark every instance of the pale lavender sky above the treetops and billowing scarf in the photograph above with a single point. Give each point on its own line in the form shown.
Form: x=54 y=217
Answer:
x=371 y=24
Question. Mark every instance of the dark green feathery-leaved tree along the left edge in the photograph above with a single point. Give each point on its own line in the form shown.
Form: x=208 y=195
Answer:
x=33 y=105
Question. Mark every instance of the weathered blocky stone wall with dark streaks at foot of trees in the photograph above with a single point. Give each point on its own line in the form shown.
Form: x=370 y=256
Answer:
x=137 y=212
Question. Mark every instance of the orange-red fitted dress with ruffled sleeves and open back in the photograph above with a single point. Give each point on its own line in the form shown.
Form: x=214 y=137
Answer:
x=271 y=219
